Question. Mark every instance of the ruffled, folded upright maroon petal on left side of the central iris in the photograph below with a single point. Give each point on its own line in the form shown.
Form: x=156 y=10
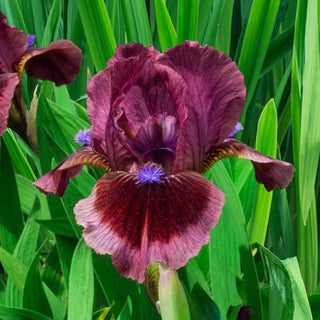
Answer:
x=109 y=109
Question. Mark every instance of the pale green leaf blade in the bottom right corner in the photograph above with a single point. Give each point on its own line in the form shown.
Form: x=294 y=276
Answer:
x=302 y=308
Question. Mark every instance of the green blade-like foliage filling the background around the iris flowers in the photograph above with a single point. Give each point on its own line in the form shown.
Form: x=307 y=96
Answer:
x=264 y=251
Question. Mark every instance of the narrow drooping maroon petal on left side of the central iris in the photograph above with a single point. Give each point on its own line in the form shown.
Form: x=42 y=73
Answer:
x=56 y=181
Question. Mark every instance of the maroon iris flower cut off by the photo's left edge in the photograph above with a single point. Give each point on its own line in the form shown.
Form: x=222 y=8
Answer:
x=59 y=62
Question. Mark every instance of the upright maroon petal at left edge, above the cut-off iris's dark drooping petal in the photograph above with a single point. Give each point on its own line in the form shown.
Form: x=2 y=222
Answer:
x=13 y=43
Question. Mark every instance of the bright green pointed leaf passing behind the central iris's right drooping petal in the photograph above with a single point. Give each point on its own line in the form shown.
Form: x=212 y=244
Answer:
x=267 y=144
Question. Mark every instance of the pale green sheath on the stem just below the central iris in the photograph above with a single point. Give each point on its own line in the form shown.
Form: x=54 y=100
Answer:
x=173 y=300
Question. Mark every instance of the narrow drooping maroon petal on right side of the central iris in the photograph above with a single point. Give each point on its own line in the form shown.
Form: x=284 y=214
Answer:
x=268 y=171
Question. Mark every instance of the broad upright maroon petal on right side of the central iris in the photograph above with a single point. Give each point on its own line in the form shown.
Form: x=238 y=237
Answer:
x=216 y=95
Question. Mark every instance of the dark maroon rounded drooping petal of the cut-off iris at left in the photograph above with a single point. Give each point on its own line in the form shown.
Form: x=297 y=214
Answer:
x=59 y=62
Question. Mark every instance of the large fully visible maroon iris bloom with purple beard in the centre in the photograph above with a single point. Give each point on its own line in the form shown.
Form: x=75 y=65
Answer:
x=159 y=120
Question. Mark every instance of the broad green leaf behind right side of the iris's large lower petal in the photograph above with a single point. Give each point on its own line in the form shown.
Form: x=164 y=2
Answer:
x=229 y=248
